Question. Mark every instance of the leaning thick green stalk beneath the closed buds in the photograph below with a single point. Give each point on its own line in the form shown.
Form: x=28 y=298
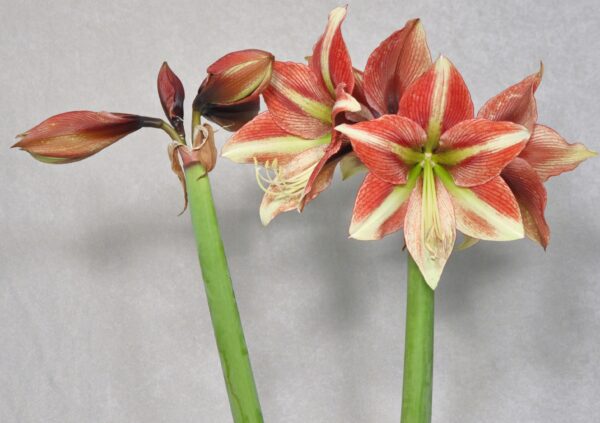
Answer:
x=229 y=334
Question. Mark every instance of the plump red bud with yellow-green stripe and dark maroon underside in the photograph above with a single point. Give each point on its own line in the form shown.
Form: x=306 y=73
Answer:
x=229 y=95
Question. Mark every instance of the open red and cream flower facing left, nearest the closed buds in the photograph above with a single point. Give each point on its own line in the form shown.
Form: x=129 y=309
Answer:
x=294 y=140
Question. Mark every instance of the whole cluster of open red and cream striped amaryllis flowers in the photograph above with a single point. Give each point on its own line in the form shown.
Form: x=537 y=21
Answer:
x=433 y=165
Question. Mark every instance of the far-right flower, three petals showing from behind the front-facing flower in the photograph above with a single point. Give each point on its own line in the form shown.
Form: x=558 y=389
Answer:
x=546 y=154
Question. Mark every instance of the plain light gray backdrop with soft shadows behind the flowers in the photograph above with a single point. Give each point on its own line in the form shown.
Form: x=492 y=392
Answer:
x=103 y=316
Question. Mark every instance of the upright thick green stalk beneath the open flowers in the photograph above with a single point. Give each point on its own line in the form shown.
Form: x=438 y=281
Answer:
x=418 y=348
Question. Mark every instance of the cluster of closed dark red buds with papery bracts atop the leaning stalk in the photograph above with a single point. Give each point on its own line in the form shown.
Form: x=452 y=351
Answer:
x=228 y=96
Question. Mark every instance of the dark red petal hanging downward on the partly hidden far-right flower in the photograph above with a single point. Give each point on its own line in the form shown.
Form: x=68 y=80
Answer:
x=531 y=196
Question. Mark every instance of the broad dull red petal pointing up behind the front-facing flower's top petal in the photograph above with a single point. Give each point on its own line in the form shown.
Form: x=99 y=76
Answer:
x=394 y=65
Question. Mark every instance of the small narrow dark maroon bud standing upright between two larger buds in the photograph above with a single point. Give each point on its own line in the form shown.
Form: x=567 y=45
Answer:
x=172 y=94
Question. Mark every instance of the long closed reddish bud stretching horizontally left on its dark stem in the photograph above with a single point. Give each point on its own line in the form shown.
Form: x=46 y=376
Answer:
x=73 y=136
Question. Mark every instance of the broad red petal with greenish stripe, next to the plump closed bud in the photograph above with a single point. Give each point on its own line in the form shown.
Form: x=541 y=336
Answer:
x=298 y=103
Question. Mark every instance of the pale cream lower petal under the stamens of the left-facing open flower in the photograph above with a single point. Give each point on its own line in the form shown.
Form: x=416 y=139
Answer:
x=287 y=189
